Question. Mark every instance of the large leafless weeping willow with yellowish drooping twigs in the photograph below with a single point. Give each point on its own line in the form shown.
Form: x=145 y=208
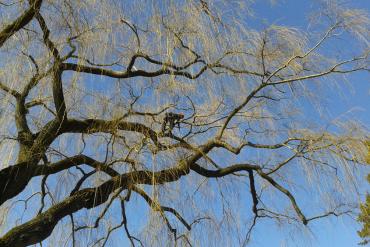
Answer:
x=86 y=86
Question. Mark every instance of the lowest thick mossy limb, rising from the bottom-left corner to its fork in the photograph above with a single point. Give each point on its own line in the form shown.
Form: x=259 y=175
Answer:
x=41 y=226
